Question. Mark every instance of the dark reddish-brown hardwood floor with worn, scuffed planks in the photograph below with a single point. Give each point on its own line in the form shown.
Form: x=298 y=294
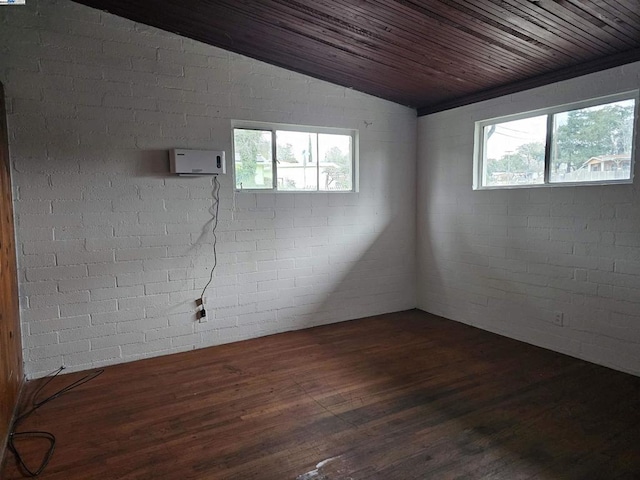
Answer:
x=399 y=396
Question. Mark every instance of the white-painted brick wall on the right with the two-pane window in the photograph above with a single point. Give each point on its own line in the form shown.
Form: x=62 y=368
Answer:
x=507 y=260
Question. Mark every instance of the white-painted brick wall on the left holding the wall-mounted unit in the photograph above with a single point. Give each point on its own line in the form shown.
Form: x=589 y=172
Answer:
x=113 y=250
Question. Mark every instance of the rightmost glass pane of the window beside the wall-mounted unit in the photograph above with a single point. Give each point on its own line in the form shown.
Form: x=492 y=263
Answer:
x=336 y=166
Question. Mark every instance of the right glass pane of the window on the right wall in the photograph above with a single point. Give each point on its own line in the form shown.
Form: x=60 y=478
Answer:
x=593 y=144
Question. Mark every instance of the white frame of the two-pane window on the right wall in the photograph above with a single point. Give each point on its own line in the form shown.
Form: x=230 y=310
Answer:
x=479 y=143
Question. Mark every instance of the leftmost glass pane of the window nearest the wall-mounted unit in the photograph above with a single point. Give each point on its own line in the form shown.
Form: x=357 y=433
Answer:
x=253 y=158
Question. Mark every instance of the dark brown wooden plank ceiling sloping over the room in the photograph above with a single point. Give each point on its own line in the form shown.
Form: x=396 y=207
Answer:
x=429 y=54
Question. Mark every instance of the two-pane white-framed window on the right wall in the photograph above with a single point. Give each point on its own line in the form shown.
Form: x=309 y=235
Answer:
x=590 y=142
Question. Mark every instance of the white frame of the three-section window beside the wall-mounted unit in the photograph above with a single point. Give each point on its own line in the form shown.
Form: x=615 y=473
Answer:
x=273 y=128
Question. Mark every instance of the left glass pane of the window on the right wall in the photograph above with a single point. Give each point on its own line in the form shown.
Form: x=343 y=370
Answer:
x=514 y=152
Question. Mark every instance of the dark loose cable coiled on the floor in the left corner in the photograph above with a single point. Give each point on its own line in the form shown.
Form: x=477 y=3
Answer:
x=13 y=435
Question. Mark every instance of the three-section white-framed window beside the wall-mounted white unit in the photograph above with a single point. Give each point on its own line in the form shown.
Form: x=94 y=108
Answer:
x=294 y=158
